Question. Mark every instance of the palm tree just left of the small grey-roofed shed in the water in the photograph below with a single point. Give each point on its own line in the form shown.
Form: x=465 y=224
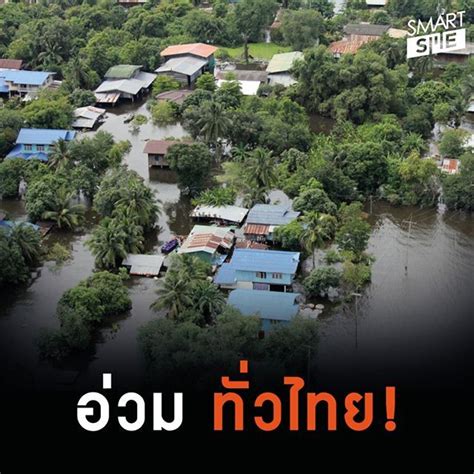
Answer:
x=108 y=243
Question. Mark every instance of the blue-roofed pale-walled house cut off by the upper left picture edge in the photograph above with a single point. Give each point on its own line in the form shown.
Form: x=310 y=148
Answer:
x=21 y=82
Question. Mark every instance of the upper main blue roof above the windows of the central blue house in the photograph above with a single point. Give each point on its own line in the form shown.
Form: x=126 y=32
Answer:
x=271 y=261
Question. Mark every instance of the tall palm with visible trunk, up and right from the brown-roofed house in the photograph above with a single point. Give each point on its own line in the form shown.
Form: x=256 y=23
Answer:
x=214 y=124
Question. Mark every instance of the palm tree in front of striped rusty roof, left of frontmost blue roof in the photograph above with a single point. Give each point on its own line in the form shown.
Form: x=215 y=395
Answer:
x=174 y=294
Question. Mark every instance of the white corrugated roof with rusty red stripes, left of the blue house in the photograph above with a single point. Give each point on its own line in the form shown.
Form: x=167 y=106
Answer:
x=207 y=239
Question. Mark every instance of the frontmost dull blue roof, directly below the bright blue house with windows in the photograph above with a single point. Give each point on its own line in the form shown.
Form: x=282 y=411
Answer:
x=266 y=304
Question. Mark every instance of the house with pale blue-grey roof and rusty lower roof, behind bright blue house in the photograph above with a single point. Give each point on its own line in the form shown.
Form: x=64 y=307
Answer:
x=263 y=219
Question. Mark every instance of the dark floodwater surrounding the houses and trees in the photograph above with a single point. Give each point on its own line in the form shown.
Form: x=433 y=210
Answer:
x=404 y=321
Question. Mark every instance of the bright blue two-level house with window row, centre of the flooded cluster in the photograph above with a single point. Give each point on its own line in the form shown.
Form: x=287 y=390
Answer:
x=259 y=270
